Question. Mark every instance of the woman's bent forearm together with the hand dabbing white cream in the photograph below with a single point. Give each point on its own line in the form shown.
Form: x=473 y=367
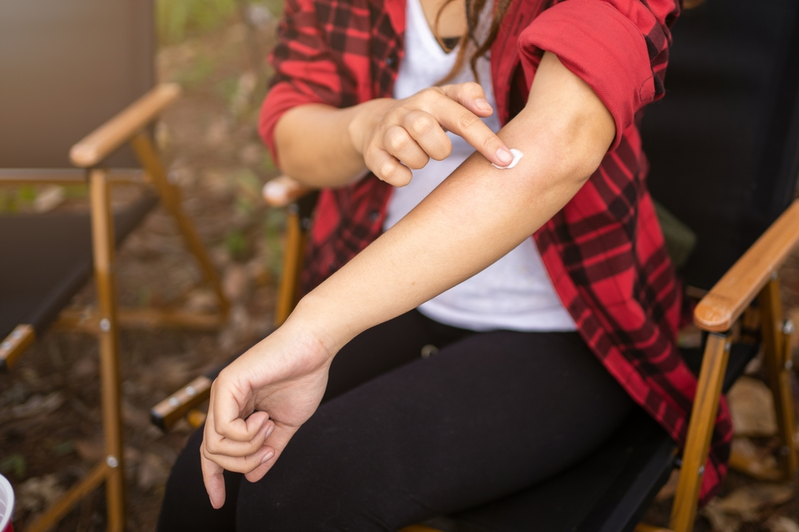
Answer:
x=327 y=147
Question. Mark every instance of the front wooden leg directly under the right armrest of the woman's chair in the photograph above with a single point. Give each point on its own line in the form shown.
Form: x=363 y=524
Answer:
x=700 y=429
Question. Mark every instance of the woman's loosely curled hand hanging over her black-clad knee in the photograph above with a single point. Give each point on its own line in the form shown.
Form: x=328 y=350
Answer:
x=257 y=404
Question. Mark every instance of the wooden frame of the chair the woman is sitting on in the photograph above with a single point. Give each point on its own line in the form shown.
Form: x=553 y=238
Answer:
x=752 y=277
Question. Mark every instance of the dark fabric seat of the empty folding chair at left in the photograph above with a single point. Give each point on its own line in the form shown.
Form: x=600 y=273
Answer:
x=47 y=258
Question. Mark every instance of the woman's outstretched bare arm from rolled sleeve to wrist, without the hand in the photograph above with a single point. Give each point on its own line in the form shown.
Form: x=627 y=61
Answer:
x=476 y=216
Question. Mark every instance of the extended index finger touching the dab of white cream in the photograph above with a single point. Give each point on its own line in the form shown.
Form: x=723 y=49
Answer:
x=464 y=123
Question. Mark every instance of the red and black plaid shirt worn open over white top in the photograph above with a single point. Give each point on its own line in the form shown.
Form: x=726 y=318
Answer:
x=604 y=250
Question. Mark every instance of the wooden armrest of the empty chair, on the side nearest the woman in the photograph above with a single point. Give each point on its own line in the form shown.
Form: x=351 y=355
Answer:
x=100 y=143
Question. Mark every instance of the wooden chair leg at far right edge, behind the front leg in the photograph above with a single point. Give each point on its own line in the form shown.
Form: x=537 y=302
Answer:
x=777 y=351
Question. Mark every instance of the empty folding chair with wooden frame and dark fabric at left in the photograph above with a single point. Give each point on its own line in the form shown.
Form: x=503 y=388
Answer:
x=66 y=68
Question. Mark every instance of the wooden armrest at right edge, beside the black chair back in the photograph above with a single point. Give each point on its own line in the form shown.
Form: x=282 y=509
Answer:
x=725 y=302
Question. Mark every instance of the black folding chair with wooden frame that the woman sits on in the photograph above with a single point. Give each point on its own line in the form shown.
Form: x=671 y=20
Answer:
x=724 y=153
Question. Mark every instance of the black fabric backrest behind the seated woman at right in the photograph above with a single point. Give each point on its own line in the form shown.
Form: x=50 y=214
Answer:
x=723 y=142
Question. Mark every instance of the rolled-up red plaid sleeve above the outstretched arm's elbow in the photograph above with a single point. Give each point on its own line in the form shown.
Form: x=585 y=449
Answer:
x=618 y=47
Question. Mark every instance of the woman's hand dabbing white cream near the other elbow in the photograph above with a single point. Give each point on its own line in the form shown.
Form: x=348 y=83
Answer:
x=395 y=136
